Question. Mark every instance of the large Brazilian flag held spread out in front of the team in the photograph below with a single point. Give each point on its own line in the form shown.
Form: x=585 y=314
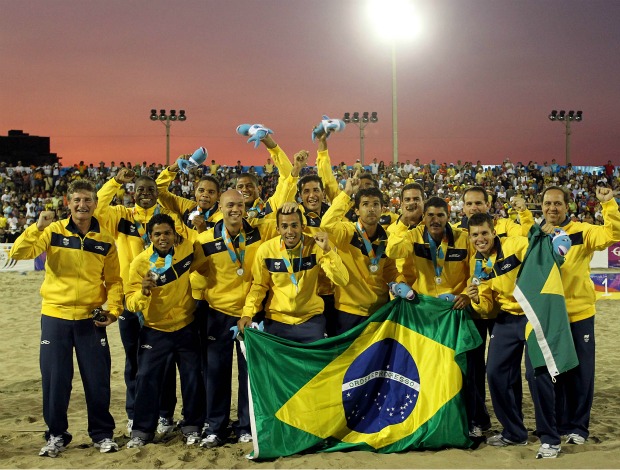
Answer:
x=391 y=384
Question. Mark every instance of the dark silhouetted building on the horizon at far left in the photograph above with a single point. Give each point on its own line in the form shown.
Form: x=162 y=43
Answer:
x=29 y=149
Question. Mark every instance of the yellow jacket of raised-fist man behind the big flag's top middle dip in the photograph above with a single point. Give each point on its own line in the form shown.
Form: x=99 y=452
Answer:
x=366 y=292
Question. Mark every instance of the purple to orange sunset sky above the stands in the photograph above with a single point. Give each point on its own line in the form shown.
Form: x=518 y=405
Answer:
x=477 y=83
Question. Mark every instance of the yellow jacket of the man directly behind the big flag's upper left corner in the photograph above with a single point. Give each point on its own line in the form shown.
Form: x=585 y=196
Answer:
x=285 y=303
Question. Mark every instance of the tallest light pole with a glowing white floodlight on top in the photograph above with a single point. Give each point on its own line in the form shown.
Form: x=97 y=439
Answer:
x=395 y=20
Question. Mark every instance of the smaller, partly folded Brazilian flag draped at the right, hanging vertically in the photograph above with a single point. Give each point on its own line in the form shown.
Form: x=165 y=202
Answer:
x=540 y=294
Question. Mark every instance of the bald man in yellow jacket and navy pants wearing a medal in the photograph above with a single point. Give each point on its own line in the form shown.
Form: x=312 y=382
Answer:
x=226 y=255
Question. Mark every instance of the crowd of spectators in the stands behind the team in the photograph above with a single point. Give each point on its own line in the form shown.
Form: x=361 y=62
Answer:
x=28 y=190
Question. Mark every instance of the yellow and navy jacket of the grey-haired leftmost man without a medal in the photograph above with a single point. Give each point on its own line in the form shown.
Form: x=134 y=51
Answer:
x=81 y=272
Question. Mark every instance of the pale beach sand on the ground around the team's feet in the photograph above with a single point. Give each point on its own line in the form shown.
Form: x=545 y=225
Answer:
x=22 y=425
